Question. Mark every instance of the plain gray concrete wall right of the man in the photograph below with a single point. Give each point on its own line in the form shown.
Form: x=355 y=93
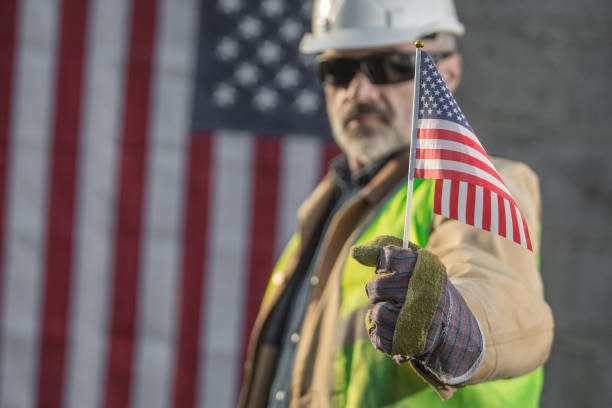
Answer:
x=537 y=87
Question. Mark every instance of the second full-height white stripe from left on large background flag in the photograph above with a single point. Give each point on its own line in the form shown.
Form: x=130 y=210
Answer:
x=97 y=173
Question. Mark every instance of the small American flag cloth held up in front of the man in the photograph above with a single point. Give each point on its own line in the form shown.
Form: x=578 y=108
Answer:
x=468 y=186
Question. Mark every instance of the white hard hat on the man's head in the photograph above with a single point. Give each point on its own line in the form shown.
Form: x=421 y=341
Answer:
x=349 y=24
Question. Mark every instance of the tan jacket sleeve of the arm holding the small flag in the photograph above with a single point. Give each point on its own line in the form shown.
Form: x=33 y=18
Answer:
x=501 y=282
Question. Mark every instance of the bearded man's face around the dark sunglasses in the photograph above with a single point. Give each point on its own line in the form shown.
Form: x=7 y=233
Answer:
x=370 y=121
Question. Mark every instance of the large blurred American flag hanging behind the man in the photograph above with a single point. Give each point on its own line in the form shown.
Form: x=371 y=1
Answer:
x=152 y=157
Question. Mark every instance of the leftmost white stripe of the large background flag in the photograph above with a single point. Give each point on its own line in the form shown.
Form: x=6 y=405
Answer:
x=26 y=198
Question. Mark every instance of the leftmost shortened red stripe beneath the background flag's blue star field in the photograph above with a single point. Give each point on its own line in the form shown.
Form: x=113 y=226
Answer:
x=195 y=228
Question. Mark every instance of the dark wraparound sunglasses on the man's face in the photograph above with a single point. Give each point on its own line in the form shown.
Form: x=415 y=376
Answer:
x=381 y=68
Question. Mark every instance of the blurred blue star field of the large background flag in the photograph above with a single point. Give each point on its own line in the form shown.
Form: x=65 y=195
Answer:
x=250 y=73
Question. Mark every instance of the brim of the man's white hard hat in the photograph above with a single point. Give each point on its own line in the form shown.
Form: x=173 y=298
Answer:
x=347 y=39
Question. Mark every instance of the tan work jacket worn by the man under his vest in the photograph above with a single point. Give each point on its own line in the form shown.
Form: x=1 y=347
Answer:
x=498 y=279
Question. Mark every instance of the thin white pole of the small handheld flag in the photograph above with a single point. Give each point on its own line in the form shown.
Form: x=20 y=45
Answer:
x=415 y=116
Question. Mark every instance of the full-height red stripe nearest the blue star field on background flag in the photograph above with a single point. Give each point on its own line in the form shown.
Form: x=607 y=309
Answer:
x=130 y=196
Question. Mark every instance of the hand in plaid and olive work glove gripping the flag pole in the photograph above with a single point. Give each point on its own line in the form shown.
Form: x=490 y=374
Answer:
x=418 y=313
